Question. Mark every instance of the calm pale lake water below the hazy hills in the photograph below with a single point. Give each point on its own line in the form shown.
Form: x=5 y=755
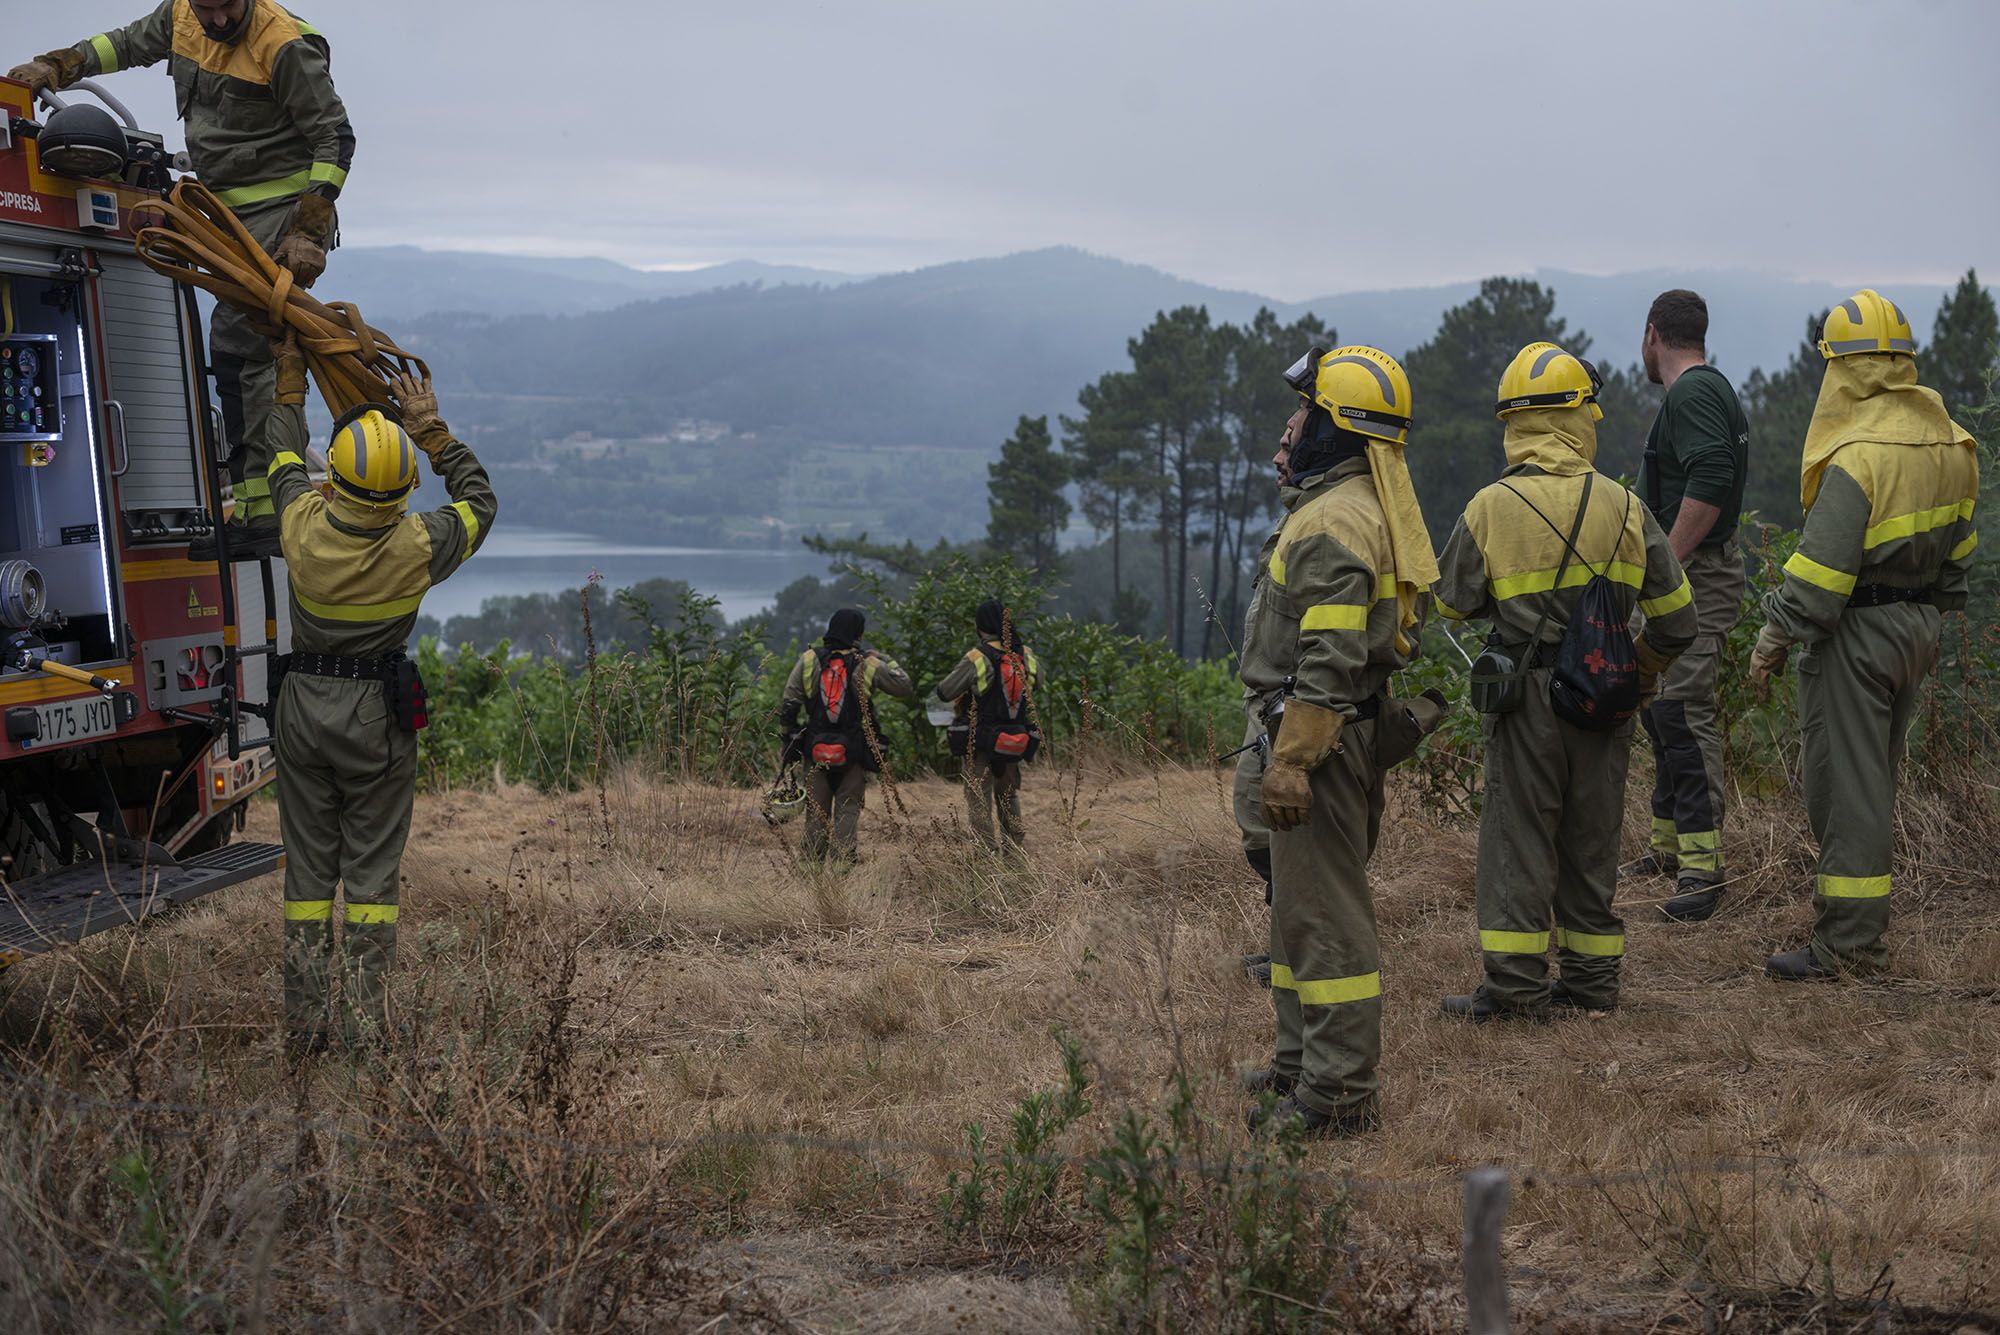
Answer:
x=525 y=561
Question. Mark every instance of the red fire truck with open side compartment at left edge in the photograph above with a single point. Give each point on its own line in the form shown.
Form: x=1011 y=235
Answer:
x=131 y=676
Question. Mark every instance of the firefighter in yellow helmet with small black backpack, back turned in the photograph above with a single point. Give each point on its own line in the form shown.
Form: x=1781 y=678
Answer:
x=1529 y=557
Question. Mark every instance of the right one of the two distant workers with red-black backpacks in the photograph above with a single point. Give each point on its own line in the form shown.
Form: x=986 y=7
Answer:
x=993 y=694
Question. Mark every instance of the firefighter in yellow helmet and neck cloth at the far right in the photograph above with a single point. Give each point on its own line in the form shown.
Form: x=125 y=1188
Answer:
x=1889 y=485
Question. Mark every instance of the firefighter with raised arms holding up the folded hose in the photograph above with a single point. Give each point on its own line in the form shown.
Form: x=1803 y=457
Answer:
x=349 y=704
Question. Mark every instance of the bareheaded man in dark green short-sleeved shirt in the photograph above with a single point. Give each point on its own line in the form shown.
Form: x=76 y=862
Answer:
x=1697 y=461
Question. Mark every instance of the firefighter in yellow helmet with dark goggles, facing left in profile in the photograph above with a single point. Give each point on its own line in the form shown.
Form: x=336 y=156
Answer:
x=1341 y=611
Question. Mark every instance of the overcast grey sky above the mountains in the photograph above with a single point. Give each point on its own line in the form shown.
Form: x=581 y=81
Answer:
x=1291 y=149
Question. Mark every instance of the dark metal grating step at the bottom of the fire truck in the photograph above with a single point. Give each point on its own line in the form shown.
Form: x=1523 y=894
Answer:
x=95 y=896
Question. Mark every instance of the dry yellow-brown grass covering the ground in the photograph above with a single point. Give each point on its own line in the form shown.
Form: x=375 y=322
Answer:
x=673 y=976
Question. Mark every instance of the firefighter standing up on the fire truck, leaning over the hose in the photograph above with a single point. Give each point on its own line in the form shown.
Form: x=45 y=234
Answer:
x=269 y=135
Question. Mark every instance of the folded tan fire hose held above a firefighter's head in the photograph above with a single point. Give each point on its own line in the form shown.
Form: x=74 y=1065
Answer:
x=207 y=247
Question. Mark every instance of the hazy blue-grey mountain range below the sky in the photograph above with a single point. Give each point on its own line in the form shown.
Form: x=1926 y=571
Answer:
x=937 y=357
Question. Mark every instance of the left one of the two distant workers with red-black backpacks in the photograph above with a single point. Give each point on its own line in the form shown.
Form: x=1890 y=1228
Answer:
x=841 y=740
